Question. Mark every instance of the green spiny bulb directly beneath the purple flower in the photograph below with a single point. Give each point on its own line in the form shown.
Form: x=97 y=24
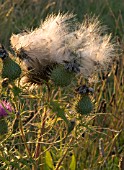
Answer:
x=3 y=126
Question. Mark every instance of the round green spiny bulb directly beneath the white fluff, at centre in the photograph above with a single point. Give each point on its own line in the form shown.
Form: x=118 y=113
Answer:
x=61 y=76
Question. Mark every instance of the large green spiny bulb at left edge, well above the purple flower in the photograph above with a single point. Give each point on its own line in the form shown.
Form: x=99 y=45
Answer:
x=11 y=69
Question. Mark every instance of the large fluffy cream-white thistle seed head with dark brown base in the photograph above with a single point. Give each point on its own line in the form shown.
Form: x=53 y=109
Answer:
x=60 y=38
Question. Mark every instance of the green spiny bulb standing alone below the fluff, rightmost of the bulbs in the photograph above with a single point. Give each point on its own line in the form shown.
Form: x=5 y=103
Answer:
x=84 y=106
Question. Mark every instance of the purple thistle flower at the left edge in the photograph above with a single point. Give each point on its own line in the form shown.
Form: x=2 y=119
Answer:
x=5 y=107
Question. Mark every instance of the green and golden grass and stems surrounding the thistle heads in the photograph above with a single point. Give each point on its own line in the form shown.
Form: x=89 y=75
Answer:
x=97 y=140
